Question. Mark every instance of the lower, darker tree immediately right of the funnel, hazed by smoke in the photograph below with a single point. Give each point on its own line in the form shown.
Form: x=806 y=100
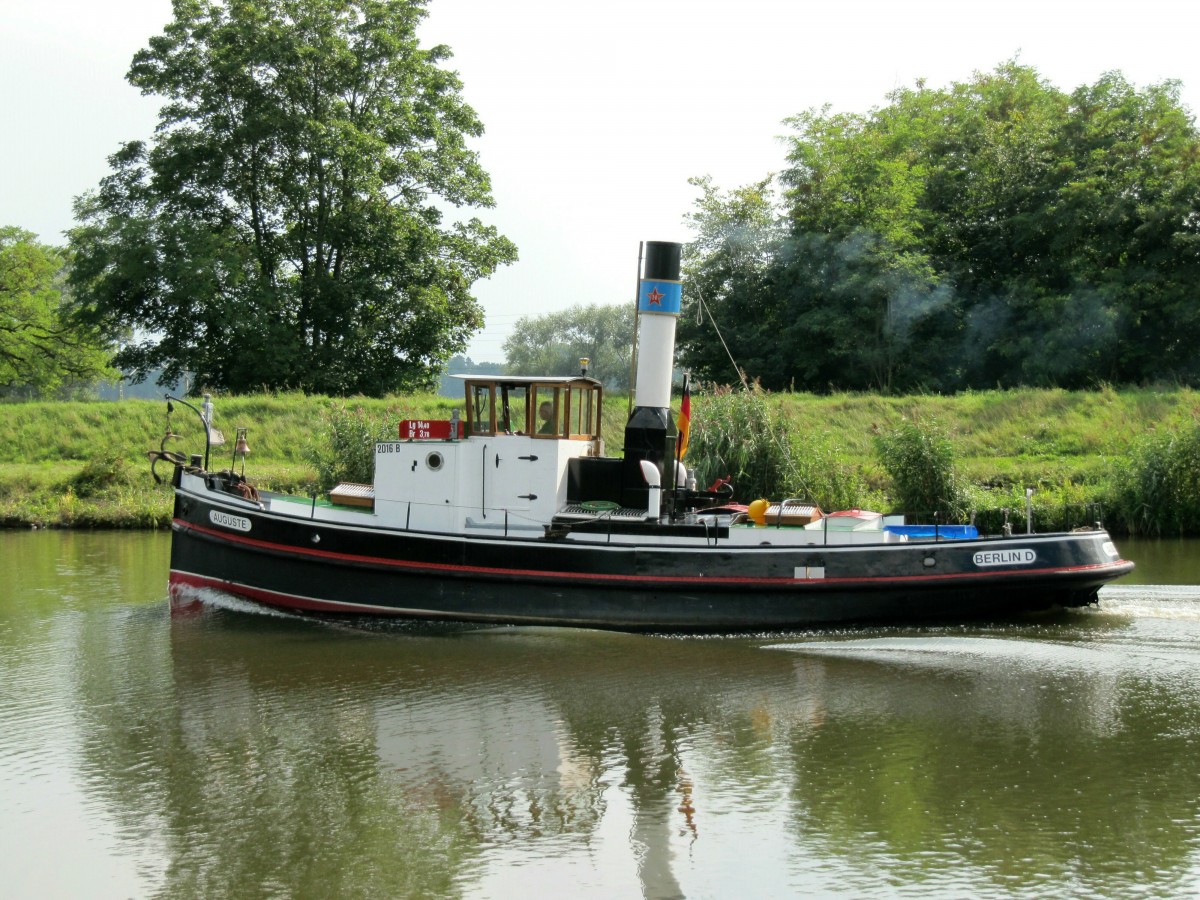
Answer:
x=830 y=305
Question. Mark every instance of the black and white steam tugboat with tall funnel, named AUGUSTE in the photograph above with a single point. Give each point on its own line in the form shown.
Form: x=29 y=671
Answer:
x=512 y=513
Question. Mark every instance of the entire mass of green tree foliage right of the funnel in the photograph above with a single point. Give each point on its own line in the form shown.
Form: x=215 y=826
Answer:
x=998 y=232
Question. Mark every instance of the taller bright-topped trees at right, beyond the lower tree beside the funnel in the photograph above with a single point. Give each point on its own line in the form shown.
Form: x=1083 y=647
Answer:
x=1064 y=229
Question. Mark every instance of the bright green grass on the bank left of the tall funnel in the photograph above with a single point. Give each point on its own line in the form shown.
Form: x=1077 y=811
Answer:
x=46 y=447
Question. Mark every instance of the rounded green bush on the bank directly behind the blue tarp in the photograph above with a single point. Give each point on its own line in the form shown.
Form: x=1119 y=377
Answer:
x=922 y=465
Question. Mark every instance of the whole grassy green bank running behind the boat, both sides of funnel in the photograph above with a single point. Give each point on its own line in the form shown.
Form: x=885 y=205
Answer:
x=83 y=465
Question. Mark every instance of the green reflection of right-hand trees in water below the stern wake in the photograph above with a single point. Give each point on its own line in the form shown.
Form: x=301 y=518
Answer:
x=1036 y=770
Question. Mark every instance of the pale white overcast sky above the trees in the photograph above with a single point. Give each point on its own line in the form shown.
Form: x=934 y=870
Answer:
x=597 y=113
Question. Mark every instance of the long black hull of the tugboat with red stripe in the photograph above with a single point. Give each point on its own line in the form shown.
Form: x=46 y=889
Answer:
x=327 y=568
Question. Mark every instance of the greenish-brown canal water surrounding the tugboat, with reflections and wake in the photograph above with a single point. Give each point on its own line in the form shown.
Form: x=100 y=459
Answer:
x=232 y=753
